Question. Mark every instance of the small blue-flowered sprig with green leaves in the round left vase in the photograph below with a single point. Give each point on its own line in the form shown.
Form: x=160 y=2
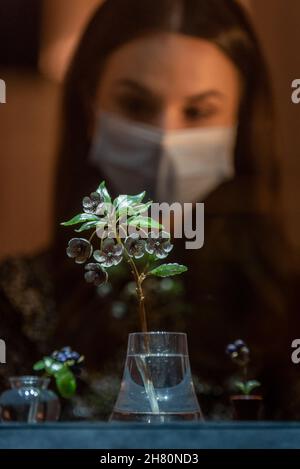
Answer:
x=64 y=366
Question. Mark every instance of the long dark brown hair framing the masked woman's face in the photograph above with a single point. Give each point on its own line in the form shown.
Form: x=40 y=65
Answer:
x=224 y=23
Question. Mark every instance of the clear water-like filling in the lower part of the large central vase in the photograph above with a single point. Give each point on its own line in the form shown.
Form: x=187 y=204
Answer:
x=157 y=388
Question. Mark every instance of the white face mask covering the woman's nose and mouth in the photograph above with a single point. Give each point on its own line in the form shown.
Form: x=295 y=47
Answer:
x=171 y=166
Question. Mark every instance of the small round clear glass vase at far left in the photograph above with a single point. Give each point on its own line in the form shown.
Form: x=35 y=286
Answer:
x=29 y=401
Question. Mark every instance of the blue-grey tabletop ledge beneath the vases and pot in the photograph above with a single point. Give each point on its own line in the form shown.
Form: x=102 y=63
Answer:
x=101 y=435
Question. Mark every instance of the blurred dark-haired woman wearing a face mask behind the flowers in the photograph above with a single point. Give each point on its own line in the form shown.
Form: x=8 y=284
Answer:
x=151 y=80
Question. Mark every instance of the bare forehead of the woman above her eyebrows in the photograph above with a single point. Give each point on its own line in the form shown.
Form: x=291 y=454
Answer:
x=168 y=64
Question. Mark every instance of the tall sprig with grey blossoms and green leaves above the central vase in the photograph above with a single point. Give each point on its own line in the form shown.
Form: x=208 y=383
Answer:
x=120 y=231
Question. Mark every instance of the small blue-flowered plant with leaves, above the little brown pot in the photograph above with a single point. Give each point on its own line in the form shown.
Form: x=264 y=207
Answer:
x=239 y=353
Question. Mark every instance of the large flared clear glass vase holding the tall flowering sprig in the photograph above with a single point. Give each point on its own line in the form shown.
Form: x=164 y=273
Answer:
x=157 y=384
